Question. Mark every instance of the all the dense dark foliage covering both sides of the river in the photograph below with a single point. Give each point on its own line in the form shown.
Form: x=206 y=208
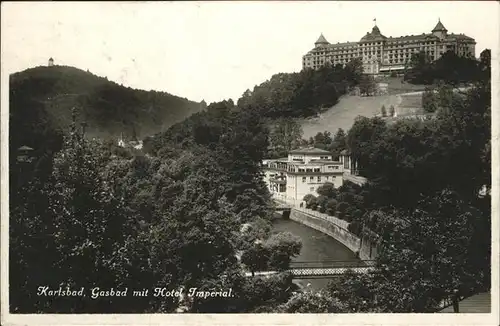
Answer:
x=192 y=211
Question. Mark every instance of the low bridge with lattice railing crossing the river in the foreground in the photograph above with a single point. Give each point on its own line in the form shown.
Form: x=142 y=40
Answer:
x=322 y=269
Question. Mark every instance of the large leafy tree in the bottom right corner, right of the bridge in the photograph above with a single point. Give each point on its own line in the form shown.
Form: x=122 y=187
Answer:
x=435 y=242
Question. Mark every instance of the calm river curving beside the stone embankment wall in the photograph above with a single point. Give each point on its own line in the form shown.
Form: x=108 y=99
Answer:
x=316 y=246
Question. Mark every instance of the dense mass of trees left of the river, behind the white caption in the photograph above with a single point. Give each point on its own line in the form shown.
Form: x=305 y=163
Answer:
x=171 y=219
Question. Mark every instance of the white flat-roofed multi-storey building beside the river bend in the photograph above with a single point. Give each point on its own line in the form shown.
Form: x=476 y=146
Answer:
x=303 y=172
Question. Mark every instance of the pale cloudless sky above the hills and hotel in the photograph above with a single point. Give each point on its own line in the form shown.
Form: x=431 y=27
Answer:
x=214 y=50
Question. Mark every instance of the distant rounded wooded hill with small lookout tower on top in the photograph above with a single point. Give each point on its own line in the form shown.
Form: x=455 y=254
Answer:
x=108 y=108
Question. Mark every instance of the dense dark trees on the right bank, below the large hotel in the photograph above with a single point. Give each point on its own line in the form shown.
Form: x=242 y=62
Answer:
x=426 y=205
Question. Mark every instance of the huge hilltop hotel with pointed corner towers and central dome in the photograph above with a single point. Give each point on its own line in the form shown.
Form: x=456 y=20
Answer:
x=381 y=54
